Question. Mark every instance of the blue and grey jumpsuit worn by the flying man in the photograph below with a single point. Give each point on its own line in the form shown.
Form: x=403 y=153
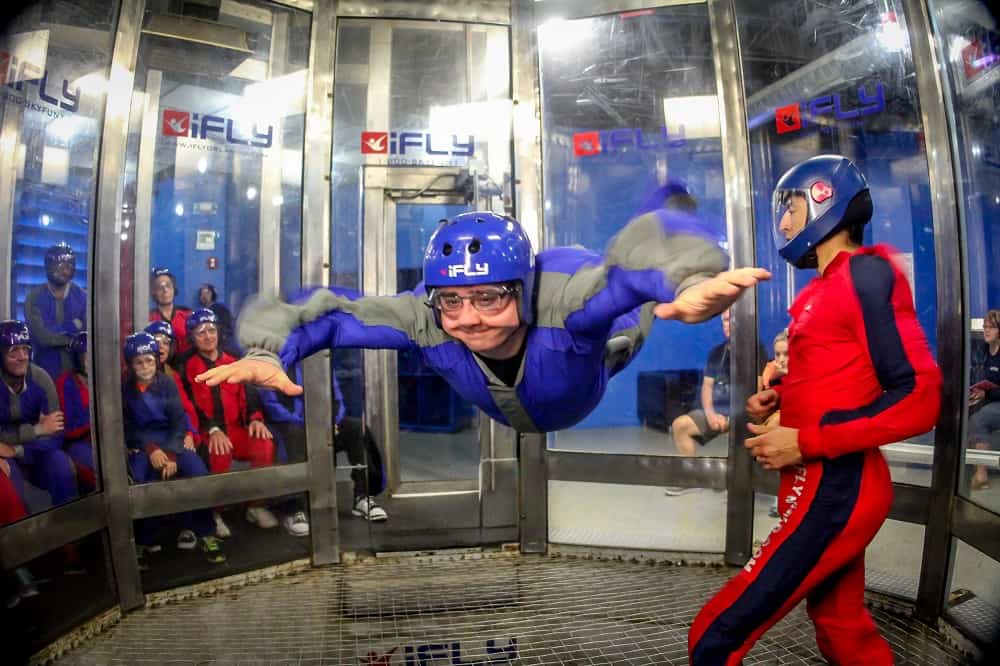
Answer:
x=583 y=300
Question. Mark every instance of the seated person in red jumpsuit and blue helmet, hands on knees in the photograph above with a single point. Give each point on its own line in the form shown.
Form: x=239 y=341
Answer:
x=229 y=415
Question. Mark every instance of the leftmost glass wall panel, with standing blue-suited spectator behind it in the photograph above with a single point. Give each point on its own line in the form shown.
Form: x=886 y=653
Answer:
x=54 y=64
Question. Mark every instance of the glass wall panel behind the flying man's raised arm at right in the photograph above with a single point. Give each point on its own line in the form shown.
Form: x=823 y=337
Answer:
x=631 y=125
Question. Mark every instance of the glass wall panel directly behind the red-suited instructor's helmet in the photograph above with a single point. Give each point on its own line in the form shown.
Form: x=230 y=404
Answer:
x=822 y=79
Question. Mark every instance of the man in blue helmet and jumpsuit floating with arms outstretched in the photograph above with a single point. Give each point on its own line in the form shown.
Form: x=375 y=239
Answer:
x=525 y=338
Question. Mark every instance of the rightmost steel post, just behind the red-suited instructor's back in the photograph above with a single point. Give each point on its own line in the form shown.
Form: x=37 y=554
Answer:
x=952 y=304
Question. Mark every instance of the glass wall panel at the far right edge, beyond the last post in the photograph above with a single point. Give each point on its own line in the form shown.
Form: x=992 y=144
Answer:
x=969 y=42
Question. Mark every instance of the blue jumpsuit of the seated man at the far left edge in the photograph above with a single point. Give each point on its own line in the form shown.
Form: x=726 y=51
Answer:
x=43 y=459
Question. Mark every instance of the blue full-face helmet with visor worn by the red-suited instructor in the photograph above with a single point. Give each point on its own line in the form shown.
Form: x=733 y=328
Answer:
x=835 y=195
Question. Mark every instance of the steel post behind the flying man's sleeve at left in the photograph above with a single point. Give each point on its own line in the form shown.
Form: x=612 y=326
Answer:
x=316 y=271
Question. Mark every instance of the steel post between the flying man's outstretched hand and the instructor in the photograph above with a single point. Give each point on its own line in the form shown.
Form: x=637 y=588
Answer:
x=739 y=204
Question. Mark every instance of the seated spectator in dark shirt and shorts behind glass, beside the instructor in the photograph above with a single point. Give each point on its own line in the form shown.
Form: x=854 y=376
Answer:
x=700 y=425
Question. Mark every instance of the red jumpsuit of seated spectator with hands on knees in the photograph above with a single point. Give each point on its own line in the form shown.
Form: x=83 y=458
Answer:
x=225 y=406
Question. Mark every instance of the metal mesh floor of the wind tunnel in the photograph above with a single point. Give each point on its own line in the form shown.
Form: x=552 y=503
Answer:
x=476 y=610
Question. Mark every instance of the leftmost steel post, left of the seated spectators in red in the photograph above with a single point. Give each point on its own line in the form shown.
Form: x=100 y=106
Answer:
x=108 y=430
